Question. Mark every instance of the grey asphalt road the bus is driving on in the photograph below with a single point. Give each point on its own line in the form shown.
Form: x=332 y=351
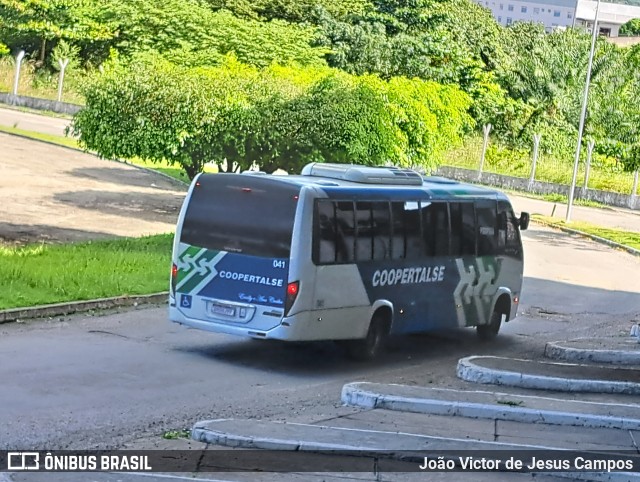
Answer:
x=106 y=381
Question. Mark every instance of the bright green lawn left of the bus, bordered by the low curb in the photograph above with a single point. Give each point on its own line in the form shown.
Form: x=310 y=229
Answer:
x=52 y=273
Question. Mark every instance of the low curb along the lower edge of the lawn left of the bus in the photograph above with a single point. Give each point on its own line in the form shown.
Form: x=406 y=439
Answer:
x=61 y=309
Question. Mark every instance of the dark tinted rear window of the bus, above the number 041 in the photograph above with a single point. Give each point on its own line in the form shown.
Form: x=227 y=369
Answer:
x=242 y=214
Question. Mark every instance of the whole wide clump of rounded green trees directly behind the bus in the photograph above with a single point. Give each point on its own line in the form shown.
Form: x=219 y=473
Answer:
x=238 y=116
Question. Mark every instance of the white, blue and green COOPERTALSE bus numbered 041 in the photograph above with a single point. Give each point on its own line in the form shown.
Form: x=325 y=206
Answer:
x=346 y=253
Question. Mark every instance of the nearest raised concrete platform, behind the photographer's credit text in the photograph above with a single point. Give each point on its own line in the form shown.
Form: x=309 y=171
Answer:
x=365 y=449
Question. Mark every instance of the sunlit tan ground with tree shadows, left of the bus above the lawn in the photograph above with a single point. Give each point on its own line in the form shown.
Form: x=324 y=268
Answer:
x=54 y=194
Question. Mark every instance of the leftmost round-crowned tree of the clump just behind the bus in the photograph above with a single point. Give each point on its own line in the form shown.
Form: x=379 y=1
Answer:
x=152 y=111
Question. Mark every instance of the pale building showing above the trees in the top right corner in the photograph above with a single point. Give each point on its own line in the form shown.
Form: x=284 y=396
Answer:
x=562 y=13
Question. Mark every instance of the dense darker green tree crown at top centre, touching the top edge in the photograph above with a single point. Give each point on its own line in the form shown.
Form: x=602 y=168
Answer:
x=447 y=41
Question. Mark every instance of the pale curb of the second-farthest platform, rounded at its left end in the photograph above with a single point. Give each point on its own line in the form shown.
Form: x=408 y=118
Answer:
x=471 y=372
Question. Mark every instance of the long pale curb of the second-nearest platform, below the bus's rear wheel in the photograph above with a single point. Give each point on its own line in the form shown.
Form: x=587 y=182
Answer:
x=355 y=395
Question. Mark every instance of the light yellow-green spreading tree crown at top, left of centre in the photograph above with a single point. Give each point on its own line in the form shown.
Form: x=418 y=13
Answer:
x=189 y=32
